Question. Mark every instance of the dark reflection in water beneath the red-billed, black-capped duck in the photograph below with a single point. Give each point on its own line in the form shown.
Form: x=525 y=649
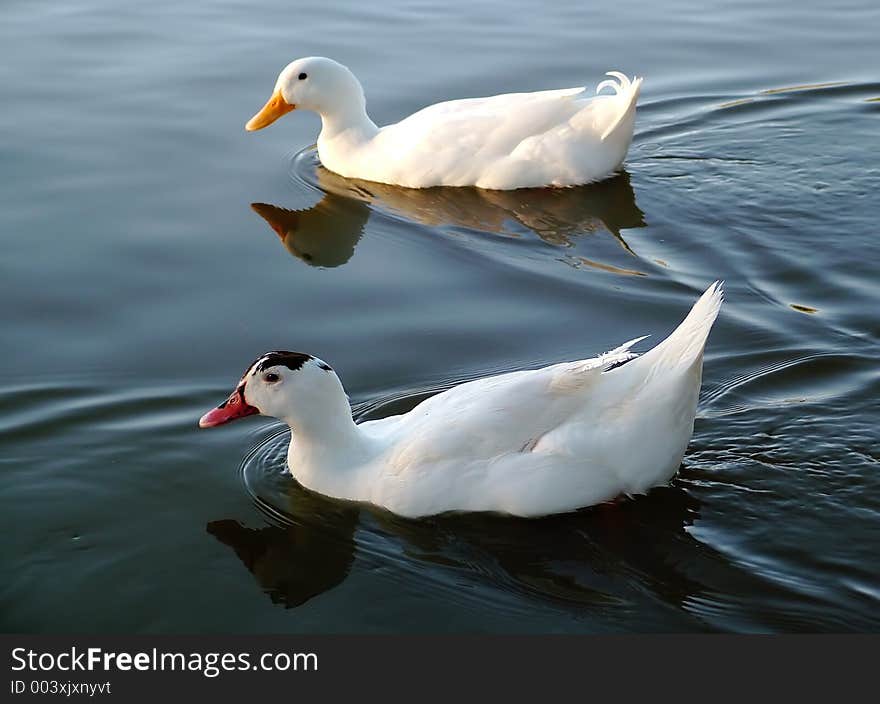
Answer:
x=598 y=564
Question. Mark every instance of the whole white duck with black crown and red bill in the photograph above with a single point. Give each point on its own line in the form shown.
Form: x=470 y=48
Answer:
x=527 y=443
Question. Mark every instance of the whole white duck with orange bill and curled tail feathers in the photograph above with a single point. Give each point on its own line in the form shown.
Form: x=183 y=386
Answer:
x=517 y=140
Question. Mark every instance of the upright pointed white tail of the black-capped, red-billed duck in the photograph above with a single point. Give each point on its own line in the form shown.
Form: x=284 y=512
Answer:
x=684 y=346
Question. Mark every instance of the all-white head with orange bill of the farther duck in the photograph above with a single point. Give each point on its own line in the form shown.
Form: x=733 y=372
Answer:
x=313 y=83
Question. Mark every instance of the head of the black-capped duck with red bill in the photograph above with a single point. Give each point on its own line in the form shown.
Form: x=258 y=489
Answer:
x=297 y=388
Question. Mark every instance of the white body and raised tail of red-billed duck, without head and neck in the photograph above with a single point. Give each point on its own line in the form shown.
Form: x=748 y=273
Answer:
x=553 y=439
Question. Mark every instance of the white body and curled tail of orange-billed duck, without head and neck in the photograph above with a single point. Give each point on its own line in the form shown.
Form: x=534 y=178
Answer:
x=515 y=140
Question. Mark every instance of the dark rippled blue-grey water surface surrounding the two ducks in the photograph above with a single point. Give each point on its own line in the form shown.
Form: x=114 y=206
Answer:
x=138 y=281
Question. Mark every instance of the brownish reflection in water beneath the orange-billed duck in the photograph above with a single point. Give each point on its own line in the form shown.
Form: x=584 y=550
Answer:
x=327 y=233
